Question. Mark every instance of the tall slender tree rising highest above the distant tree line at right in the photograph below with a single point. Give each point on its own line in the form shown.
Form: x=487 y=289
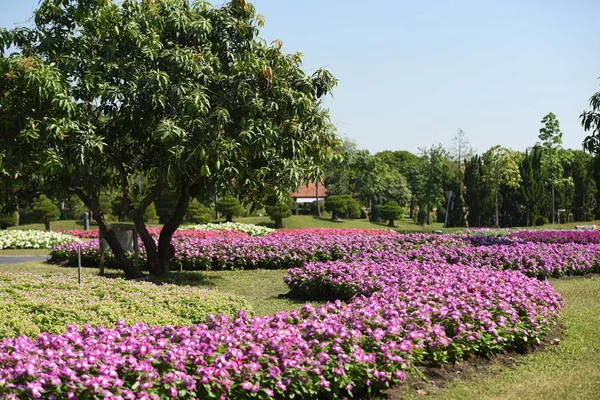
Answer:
x=551 y=140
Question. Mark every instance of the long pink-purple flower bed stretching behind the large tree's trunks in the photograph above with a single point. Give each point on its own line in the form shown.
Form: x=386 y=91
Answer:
x=278 y=251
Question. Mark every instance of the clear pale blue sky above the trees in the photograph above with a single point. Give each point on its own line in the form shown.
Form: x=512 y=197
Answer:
x=412 y=73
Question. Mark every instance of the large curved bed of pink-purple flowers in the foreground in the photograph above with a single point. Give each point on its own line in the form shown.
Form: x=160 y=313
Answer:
x=399 y=314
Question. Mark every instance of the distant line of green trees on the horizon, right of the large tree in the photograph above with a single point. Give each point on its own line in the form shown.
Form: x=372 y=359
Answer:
x=500 y=187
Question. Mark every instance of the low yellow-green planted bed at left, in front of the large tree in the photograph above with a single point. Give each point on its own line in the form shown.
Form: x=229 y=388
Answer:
x=32 y=304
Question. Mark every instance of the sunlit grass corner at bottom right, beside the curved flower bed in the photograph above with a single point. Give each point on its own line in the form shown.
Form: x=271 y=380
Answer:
x=568 y=371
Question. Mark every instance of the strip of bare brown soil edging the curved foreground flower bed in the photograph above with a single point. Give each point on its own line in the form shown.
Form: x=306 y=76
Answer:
x=438 y=377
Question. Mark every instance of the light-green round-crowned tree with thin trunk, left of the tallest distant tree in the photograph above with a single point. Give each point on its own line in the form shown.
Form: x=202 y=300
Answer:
x=501 y=167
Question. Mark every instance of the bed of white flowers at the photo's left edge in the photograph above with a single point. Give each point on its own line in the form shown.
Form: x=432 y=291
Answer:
x=31 y=239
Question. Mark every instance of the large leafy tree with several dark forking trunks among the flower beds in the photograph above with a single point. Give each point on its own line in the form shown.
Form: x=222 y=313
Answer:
x=186 y=94
